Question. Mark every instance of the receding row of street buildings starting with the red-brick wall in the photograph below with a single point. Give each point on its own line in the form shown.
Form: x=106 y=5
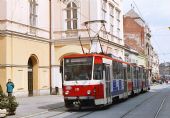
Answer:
x=138 y=37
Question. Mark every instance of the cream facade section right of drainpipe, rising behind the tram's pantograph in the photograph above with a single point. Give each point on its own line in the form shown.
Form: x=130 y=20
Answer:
x=89 y=21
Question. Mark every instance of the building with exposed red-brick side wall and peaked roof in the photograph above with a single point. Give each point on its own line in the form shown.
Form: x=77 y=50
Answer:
x=134 y=36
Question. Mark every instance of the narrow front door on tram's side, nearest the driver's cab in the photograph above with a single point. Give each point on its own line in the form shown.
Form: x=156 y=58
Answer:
x=108 y=91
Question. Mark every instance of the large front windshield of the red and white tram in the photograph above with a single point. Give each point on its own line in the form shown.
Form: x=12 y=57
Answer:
x=77 y=68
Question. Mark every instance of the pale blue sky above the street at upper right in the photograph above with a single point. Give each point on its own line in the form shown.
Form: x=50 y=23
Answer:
x=156 y=13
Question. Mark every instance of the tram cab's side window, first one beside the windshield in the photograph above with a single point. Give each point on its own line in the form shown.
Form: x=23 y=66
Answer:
x=98 y=72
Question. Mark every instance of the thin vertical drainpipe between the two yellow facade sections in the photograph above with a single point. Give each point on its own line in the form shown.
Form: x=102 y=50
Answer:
x=50 y=41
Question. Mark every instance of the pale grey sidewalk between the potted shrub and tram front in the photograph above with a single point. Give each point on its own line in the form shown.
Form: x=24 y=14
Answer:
x=36 y=104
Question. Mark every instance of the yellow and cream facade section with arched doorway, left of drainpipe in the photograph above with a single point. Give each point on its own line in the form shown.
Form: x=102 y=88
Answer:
x=24 y=46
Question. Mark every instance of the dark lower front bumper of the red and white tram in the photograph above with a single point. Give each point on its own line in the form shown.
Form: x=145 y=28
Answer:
x=77 y=102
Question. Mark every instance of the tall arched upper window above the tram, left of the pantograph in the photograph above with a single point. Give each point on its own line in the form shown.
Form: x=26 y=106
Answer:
x=71 y=16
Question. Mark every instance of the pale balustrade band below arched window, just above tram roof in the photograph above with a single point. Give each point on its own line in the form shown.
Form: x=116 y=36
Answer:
x=71 y=37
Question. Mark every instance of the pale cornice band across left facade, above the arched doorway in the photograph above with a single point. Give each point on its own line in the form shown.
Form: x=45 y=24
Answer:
x=24 y=30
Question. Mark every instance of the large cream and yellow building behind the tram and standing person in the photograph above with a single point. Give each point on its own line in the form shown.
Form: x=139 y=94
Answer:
x=26 y=56
